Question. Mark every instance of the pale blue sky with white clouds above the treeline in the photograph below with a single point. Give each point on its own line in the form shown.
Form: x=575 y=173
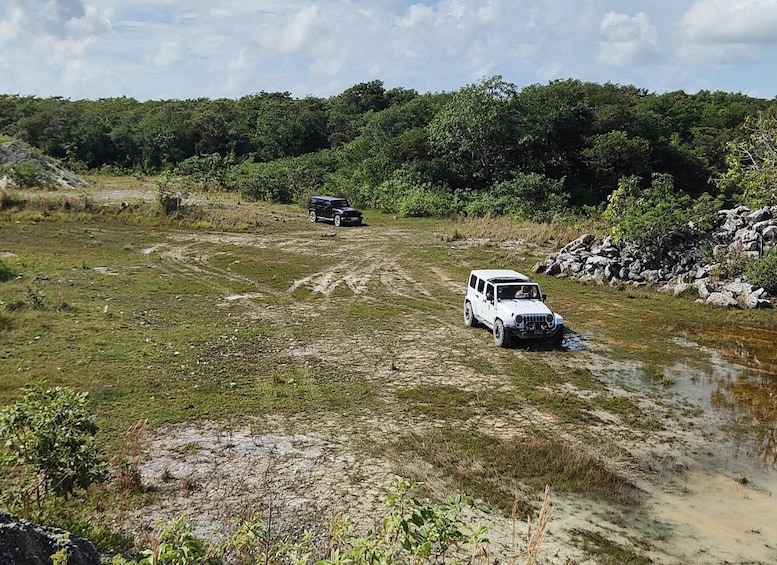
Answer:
x=163 y=49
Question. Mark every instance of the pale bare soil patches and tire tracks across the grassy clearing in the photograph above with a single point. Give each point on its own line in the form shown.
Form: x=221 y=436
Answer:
x=305 y=470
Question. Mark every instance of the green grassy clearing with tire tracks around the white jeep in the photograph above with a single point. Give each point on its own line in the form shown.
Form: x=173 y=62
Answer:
x=234 y=312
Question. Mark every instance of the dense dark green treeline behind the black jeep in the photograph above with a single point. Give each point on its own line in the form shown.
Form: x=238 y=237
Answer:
x=486 y=148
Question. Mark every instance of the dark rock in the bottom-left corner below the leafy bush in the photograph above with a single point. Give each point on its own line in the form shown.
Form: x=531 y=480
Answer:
x=22 y=543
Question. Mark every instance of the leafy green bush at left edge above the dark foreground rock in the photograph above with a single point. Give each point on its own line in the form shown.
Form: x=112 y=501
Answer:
x=51 y=434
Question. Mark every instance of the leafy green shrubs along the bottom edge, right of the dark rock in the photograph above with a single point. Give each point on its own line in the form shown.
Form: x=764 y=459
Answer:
x=411 y=532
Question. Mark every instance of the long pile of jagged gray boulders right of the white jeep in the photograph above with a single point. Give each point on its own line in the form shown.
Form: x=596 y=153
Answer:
x=697 y=267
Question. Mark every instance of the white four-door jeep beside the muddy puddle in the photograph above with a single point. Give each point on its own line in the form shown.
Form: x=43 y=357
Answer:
x=511 y=305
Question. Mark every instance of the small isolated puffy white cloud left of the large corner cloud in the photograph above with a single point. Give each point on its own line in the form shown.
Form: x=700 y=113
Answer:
x=627 y=40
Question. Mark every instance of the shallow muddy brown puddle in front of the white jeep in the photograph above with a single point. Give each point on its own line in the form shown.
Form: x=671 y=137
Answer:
x=714 y=463
